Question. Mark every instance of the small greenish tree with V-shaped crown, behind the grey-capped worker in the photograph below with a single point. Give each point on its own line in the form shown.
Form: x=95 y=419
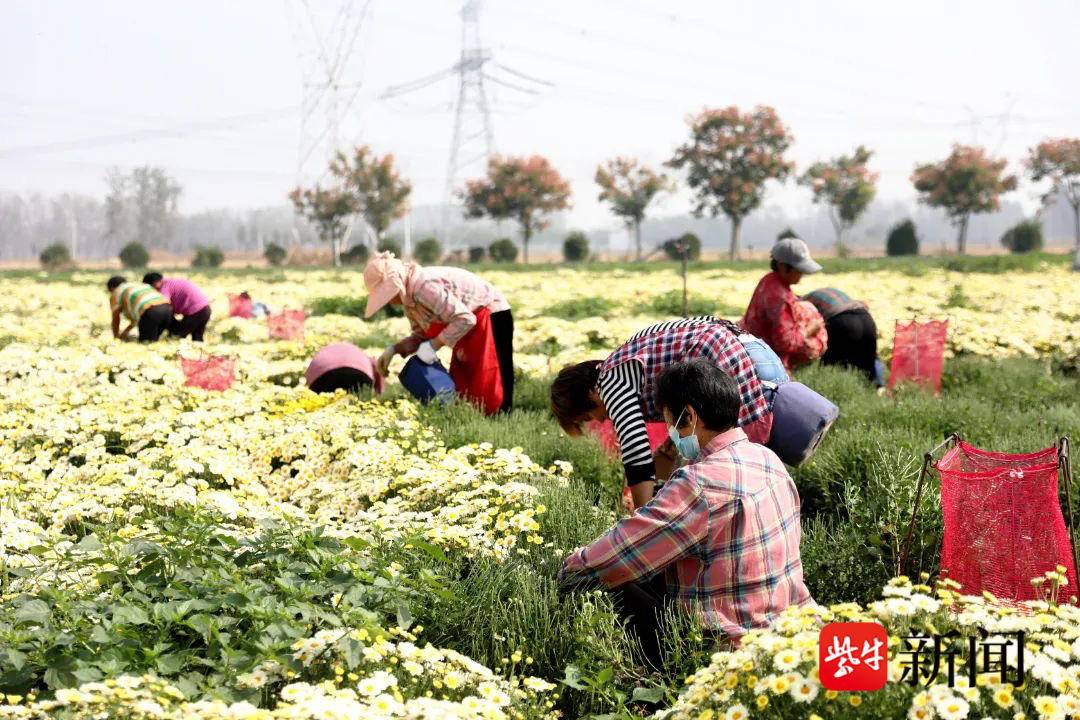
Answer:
x=847 y=186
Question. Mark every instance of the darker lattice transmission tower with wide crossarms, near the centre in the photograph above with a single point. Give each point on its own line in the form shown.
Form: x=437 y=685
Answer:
x=472 y=140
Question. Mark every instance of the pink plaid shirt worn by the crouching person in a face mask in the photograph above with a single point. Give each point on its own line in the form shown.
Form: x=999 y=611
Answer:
x=726 y=532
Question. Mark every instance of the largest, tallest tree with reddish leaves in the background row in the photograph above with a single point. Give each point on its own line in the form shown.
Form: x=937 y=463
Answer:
x=728 y=160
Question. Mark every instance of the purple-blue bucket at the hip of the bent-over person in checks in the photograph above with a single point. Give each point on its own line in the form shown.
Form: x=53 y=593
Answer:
x=801 y=419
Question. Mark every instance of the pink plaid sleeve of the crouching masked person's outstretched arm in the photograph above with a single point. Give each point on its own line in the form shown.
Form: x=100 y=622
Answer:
x=672 y=525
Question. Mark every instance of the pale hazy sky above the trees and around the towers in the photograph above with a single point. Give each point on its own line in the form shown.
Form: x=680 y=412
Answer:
x=213 y=90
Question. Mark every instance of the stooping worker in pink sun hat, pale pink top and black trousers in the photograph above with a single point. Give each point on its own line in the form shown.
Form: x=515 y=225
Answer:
x=442 y=296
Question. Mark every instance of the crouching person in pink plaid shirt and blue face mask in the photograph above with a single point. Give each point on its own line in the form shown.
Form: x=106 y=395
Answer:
x=721 y=538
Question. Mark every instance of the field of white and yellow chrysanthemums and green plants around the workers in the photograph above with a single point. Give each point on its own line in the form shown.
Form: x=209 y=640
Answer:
x=168 y=552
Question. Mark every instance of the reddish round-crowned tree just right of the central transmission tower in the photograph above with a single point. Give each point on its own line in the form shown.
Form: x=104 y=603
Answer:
x=523 y=189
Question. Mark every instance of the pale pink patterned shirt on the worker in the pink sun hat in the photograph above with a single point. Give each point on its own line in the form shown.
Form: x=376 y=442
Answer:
x=449 y=296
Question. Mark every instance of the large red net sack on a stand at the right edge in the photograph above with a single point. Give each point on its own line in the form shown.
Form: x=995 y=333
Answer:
x=1004 y=523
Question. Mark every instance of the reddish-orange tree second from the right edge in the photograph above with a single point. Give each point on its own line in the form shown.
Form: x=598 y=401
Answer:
x=967 y=182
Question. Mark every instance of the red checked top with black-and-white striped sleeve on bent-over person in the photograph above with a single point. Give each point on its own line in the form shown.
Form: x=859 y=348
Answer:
x=628 y=378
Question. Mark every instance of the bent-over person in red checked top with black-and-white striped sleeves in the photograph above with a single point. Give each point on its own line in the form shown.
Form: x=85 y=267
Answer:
x=622 y=388
